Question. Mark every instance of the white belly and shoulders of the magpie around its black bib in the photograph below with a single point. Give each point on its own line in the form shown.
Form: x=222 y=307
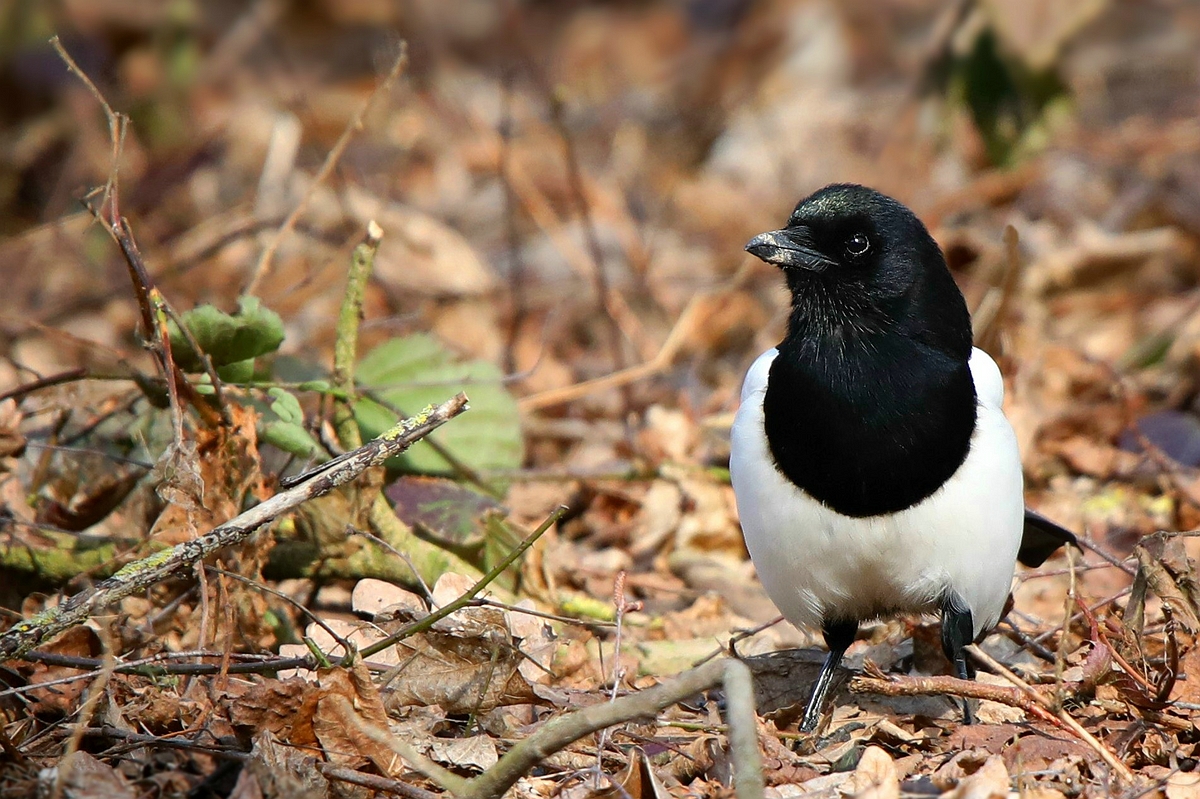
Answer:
x=818 y=564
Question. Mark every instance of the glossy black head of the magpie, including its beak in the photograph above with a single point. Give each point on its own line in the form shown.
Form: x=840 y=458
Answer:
x=859 y=265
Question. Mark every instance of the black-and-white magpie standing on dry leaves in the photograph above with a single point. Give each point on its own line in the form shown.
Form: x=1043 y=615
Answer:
x=874 y=471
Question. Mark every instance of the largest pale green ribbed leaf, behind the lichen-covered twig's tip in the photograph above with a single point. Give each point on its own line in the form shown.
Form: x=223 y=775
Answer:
x=416 y=371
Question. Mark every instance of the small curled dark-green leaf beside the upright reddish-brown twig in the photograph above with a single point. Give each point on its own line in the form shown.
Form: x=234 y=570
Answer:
x=227 y=339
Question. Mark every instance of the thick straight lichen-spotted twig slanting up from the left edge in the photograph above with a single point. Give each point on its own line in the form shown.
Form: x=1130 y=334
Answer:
x=141 y=575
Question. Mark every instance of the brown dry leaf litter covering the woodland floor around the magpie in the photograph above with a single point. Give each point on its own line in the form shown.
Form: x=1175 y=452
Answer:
x=572 y=261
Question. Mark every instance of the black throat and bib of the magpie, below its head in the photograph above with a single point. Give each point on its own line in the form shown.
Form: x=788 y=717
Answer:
x=866 y=417
